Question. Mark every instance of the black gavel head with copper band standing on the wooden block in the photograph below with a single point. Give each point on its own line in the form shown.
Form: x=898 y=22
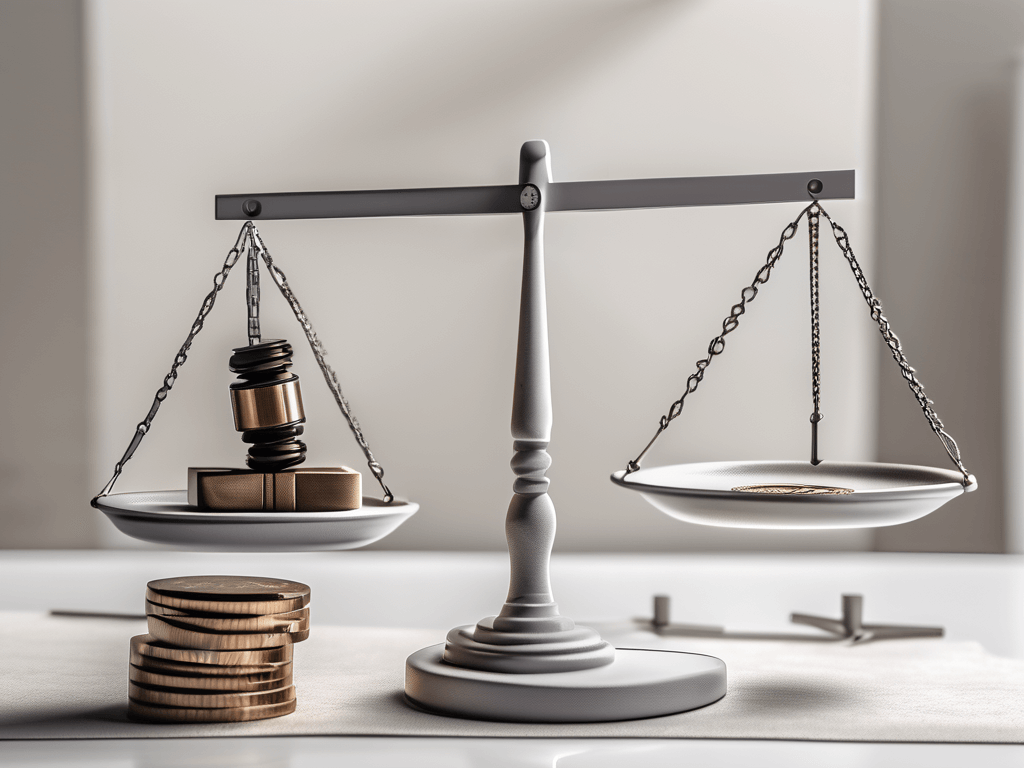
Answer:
x=268 y=405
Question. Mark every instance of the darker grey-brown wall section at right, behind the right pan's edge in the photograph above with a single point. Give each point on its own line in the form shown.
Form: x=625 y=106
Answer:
x=946 y=112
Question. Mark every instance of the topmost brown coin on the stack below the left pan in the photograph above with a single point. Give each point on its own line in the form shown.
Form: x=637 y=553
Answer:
x=230 y=594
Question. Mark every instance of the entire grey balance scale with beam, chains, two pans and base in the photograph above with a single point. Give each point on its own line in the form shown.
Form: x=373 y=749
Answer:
x=531 y=664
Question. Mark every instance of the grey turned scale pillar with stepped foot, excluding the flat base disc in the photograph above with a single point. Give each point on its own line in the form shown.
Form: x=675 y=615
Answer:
x=530 y=635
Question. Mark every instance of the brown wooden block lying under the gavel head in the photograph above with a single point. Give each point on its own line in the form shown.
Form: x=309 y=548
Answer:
x=300 y=490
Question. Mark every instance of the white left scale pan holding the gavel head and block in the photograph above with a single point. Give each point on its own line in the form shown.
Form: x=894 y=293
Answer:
x=165 y=518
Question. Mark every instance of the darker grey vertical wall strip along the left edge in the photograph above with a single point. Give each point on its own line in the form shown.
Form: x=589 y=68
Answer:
x=45 y=485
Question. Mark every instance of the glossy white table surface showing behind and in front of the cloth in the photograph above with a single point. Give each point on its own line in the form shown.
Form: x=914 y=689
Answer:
x=975 y=598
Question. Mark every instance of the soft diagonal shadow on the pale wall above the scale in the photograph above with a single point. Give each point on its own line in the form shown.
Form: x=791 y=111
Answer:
x=570 y=39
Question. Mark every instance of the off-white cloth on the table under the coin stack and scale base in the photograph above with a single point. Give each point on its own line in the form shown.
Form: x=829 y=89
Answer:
x=67 y=678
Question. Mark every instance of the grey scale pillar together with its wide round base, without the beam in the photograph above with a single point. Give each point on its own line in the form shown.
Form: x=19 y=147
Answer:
x=530 y=663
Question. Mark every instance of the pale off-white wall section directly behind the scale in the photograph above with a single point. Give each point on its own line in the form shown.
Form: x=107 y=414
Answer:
x=191 y=99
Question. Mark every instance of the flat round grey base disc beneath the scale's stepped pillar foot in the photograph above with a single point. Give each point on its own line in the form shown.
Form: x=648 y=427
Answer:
x=638 y=685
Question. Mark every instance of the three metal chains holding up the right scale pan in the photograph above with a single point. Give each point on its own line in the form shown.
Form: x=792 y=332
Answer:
x=875 y=306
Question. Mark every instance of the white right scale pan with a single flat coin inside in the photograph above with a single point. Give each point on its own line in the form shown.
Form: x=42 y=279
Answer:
x=795 y=495
